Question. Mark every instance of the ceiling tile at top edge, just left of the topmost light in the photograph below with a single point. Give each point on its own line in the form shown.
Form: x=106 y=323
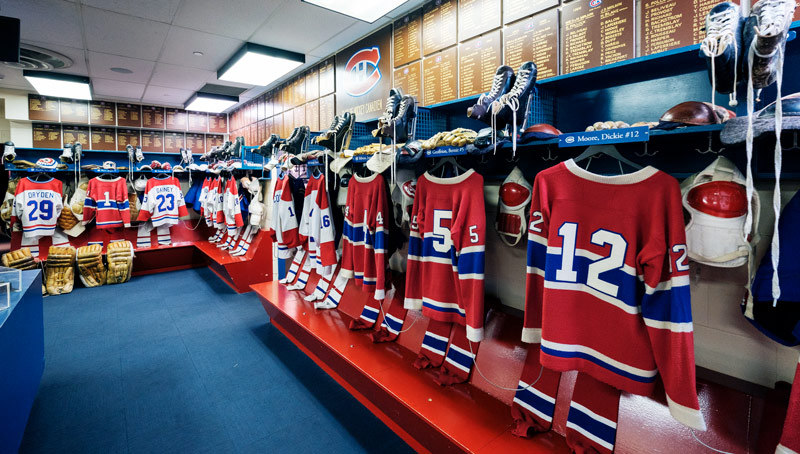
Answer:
x=234 y=18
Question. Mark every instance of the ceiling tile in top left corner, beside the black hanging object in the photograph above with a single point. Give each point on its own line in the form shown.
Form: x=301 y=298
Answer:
x=48 y=21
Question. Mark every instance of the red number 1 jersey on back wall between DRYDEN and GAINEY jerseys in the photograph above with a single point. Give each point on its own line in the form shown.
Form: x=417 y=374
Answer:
x=107 y=201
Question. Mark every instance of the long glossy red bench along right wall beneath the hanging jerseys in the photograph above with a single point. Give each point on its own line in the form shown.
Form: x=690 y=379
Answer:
x=475 y=417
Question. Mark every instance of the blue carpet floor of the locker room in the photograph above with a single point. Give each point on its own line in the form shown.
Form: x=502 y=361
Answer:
x=178 y=362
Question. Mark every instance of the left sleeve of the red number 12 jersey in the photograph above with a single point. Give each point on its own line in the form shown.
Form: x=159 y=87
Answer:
x=537 y=260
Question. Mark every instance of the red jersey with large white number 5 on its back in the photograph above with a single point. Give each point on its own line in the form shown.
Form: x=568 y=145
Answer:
x=446 y=251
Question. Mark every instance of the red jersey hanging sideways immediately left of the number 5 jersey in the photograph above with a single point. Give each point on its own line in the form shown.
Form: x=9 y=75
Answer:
x=365 y=237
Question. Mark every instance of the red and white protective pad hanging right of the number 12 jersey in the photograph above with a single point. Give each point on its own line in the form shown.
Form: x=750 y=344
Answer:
x=716 y=200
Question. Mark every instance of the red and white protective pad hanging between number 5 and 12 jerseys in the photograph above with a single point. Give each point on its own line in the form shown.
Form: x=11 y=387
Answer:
x=515 y=195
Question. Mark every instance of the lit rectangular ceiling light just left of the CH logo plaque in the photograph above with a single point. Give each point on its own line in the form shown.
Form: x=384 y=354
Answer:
x=254 y=64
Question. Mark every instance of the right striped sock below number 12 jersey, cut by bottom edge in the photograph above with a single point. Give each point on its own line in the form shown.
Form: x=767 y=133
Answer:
x=592 y=420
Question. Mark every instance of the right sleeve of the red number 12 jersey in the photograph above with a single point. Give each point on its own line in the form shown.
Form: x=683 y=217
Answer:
x=667 y=312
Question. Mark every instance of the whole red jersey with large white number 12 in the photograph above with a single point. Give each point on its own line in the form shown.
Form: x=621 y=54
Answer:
x=608 y=282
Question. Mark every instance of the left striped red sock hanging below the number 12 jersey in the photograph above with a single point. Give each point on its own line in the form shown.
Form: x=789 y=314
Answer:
x=535 y=401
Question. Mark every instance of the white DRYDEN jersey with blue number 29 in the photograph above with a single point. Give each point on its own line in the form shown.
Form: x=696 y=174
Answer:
x=37 y=205
